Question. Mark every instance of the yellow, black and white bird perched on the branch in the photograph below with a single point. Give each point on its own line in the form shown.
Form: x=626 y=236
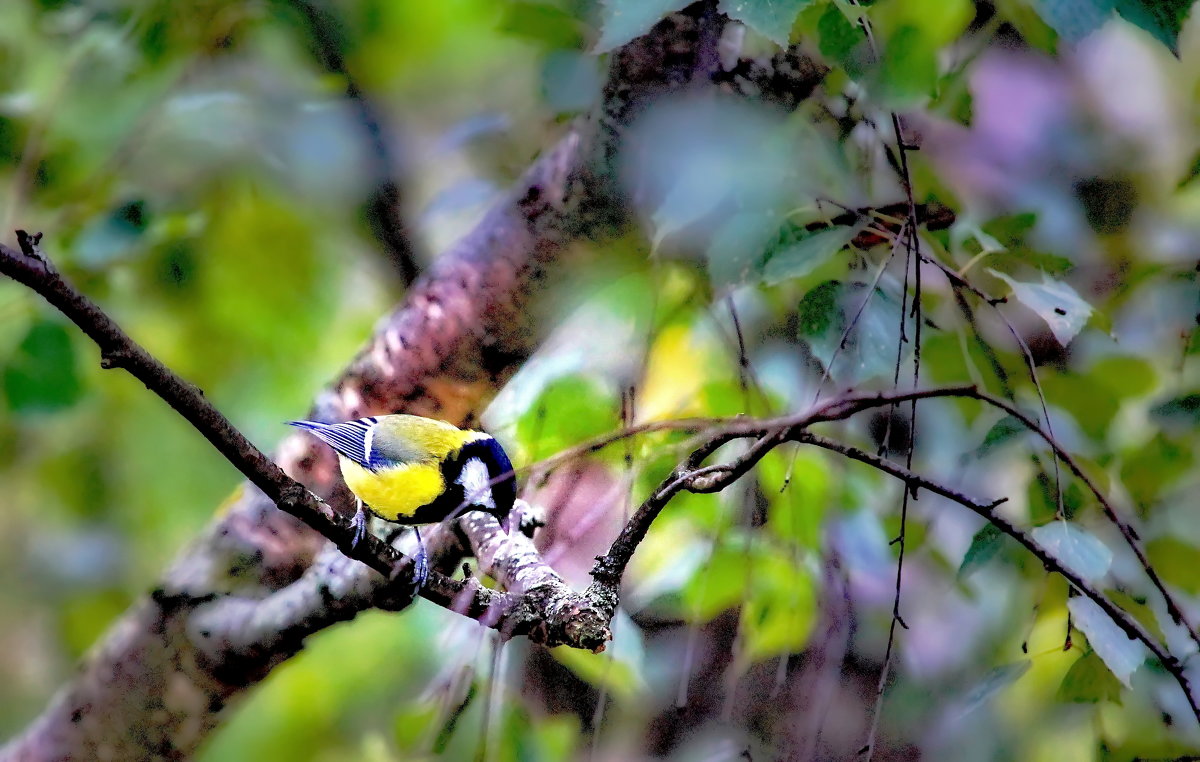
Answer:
x=411 y=470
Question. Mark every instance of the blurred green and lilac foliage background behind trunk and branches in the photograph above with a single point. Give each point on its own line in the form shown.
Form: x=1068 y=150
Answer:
x=201 y=175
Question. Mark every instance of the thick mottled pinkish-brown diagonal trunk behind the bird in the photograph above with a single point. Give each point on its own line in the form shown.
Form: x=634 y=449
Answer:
x=151 y=691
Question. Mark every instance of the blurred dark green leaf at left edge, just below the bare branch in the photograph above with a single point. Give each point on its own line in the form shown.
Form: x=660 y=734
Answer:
x=41 y=375
